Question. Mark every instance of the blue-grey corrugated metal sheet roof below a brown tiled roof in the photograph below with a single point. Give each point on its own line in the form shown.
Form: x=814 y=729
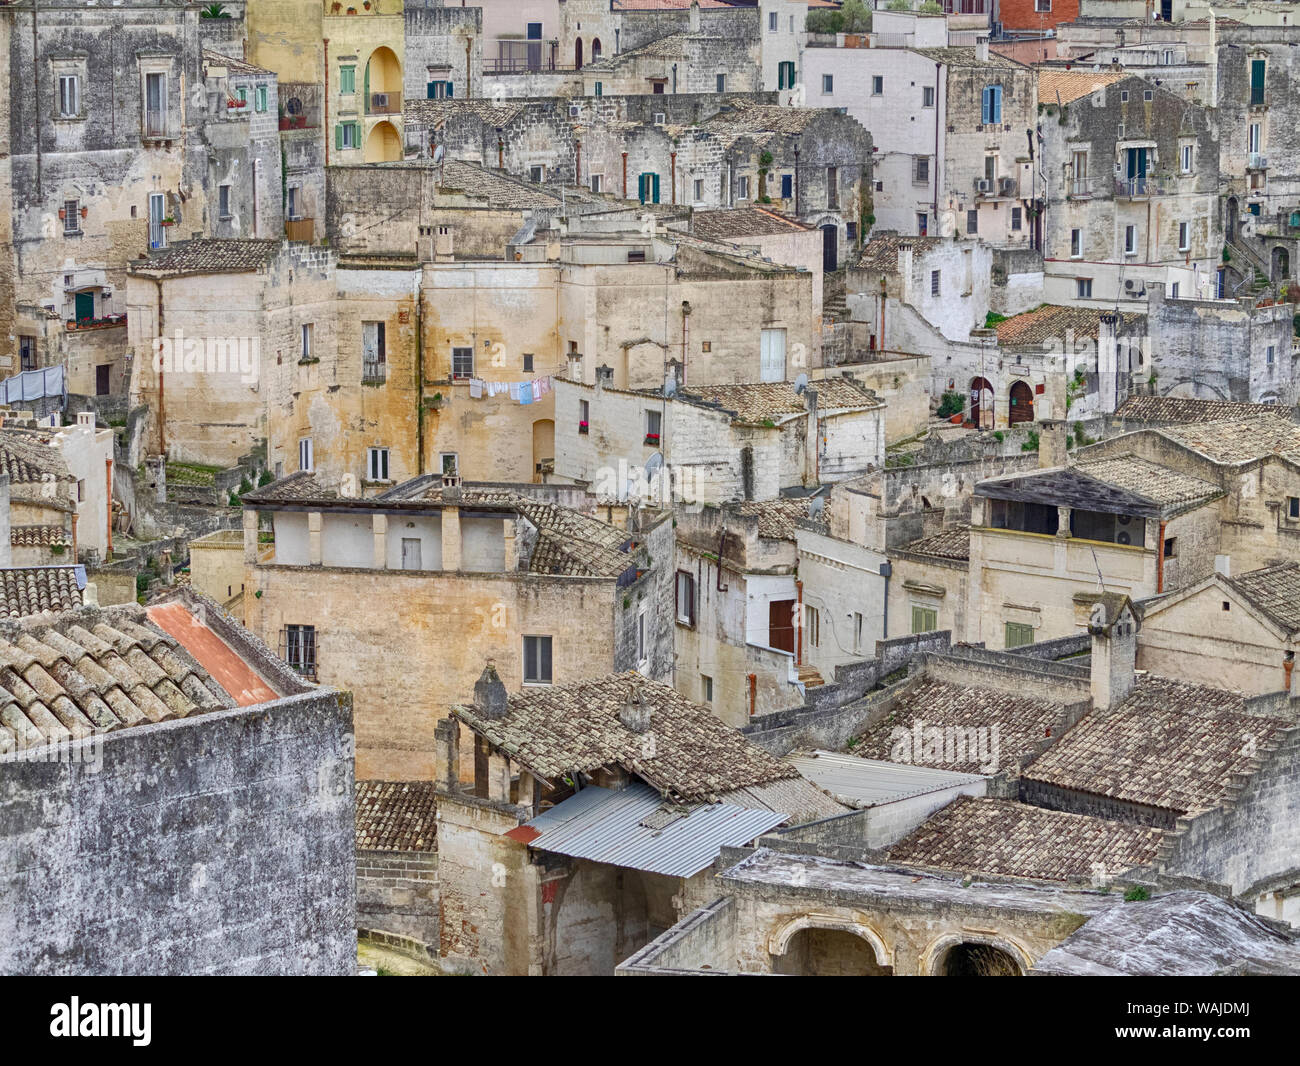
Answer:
x=605 y=826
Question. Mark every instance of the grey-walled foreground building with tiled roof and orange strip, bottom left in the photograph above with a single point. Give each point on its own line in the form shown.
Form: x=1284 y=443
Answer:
x=261 y=762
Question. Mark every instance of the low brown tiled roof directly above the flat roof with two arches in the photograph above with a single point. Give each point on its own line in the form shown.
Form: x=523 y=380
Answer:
x=1015 y=840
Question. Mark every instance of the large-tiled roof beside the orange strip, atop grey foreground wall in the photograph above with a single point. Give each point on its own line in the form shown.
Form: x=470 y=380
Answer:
x=94 y=671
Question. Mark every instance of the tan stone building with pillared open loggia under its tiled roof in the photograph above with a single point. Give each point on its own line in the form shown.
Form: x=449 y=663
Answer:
x=452 y=575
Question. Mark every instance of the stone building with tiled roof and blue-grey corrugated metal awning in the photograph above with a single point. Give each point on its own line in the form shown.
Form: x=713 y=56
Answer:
x=596 y=814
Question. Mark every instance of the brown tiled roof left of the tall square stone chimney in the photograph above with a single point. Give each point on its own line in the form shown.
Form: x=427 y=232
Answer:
x=1022 y=722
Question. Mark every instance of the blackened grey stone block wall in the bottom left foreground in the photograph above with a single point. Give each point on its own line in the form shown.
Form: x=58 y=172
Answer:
x=211 y=866
